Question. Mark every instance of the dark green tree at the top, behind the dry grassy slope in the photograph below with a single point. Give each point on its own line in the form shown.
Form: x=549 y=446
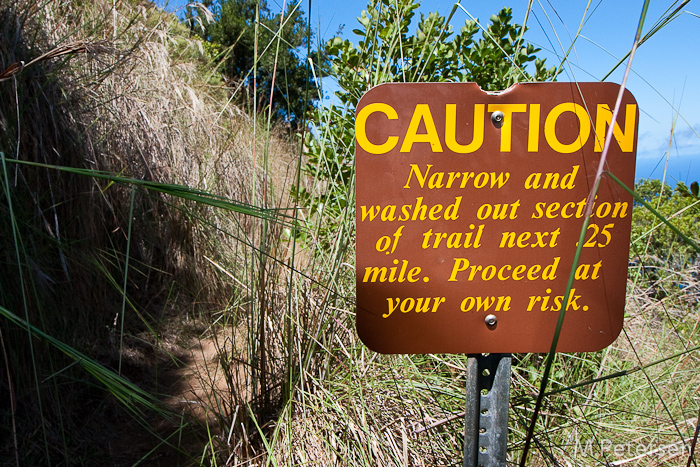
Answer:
x=280 y=40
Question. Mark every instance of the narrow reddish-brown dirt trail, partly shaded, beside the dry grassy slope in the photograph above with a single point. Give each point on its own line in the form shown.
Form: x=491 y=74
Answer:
x=197 y=389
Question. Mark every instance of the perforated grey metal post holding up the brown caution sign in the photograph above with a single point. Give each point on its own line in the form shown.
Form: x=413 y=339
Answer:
x=486 y=416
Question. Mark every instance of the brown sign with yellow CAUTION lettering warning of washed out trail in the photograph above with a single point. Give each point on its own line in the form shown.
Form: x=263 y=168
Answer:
x=469 y=211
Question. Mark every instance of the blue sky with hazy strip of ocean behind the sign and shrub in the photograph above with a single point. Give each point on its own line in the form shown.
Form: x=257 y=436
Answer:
x=666 y=69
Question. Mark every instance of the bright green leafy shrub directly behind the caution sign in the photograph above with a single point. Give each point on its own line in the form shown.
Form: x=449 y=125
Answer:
x=386 y=52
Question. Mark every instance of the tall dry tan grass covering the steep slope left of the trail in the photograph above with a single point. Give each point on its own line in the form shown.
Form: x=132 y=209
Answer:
x=118 y=88
